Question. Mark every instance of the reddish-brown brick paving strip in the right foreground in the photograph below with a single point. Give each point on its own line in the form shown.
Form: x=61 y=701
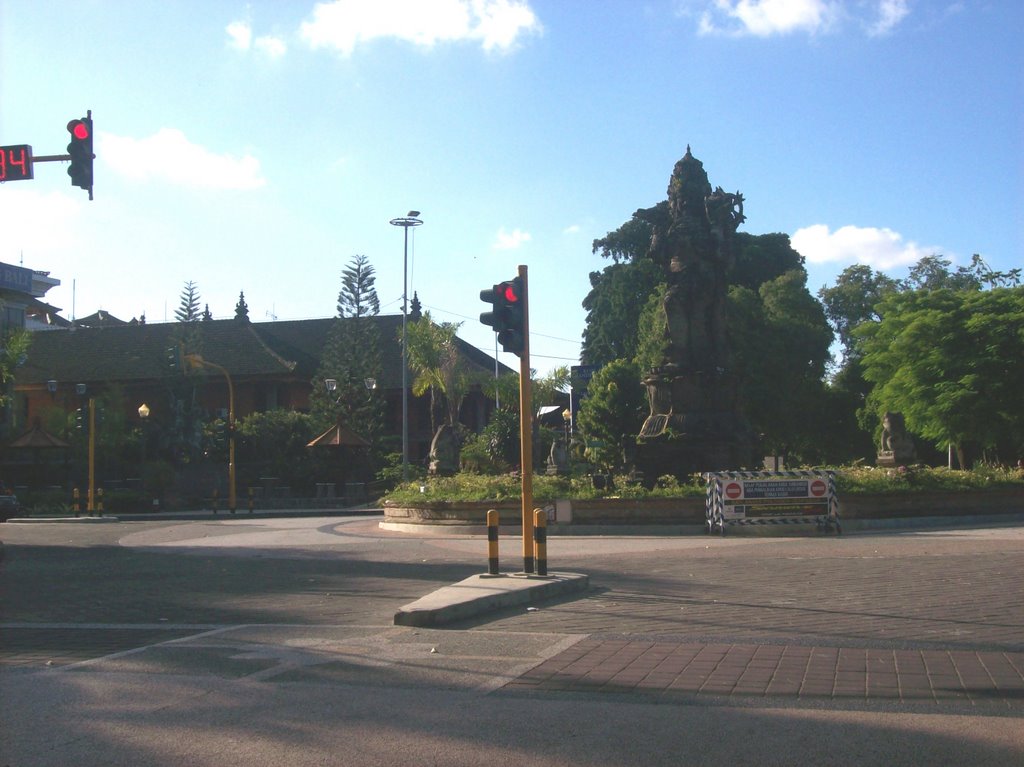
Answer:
x=792 y=671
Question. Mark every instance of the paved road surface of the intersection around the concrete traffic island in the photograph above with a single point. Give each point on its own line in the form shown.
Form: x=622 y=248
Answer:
x=271 y=642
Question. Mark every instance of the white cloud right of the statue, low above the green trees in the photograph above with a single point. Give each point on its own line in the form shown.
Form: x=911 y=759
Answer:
x=879 y=248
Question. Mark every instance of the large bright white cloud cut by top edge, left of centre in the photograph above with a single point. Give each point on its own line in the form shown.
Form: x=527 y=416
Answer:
x=343 y=25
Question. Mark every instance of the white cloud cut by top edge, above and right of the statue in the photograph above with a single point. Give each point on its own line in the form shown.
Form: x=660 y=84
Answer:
x=769 y=18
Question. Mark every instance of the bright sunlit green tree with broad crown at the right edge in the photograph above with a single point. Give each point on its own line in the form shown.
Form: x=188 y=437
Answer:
x=953 y=363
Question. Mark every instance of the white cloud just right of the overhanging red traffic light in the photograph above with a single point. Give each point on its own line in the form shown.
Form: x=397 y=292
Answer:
x=169 y=156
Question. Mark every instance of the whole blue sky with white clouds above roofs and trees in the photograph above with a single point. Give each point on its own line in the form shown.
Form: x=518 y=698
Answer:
x=260 y=147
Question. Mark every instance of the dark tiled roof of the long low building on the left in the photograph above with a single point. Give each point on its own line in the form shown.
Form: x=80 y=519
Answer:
x=139 y=353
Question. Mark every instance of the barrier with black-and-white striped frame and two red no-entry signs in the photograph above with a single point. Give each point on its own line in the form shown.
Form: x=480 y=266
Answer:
x=772 y=498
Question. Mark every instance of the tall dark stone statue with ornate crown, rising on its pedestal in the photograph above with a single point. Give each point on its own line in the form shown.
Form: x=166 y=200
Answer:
x=695 y=423
